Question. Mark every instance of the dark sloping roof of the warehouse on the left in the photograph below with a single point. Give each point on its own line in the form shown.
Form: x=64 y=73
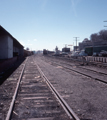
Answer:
x=5 y=32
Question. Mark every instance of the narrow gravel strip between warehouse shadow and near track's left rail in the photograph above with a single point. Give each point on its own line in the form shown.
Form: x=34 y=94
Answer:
x=7 y=89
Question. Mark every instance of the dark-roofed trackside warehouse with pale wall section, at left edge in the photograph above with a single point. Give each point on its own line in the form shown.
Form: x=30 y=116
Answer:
x=9 y=46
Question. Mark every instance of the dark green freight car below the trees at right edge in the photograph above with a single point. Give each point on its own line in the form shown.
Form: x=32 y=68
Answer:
x=95 y=49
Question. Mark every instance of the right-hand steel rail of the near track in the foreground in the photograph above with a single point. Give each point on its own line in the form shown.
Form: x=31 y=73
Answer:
x=66 y=107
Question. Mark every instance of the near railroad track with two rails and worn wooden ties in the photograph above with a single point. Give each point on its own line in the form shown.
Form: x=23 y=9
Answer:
x=36 y=99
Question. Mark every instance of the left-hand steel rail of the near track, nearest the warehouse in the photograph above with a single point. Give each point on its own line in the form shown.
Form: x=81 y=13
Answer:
x=15 y=94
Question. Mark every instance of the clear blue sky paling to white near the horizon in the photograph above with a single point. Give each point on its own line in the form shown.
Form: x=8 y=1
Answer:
x=45 y=24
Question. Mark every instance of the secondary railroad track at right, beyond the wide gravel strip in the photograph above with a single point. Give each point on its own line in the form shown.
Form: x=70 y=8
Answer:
x=99 y=76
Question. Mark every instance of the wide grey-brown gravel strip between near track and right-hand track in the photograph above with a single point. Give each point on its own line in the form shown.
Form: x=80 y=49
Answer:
x=85 y=96
